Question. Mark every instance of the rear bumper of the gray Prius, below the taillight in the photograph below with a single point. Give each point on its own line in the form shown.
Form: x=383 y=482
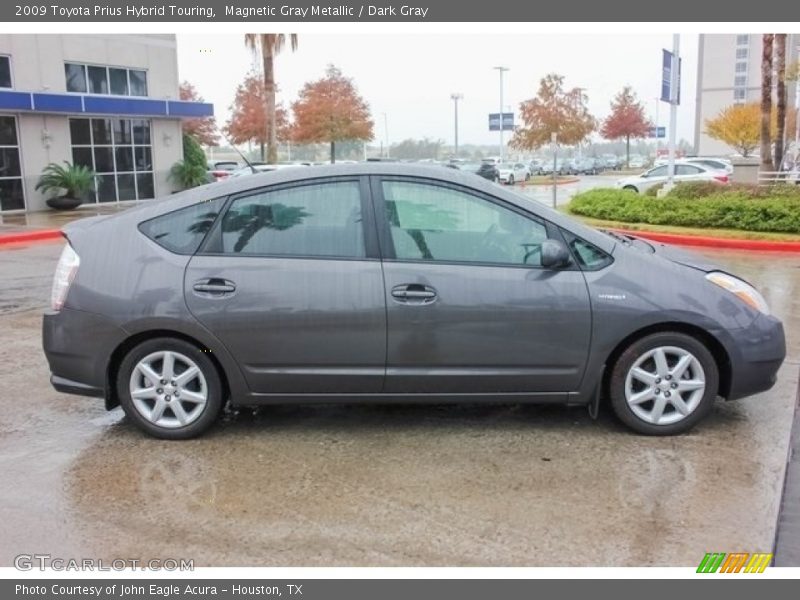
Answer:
x=78 y=346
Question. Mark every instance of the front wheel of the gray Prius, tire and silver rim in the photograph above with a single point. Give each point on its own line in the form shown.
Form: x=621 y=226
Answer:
x=638 y=387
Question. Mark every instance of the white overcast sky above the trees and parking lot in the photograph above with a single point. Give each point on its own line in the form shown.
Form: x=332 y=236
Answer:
x=410 y=77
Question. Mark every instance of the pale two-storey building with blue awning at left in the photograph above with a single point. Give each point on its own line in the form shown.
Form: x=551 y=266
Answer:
x=109 y=102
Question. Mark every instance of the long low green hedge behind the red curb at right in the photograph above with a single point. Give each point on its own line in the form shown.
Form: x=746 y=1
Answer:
x=728 y=208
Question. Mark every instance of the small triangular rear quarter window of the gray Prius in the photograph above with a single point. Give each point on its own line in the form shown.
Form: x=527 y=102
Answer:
x=182 y=231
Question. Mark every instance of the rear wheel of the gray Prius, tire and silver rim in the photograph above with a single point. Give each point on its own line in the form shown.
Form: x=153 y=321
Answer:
x=155 y=408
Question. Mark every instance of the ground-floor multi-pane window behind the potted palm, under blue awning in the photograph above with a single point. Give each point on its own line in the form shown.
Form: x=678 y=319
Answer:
x=120 y=152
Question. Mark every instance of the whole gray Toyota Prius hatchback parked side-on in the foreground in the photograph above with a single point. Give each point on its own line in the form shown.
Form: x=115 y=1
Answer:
x=392 y=283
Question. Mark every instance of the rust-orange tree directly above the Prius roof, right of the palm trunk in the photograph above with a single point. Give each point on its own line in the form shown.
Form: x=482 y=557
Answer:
x=331 y=110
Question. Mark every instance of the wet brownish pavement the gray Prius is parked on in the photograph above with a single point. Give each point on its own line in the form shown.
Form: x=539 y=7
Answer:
x=383 y=485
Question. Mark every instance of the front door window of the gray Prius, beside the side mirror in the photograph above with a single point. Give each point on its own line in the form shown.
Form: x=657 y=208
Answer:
x=436 y=223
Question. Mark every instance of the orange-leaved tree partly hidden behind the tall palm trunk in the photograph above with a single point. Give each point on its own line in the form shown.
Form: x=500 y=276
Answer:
x=248 y=122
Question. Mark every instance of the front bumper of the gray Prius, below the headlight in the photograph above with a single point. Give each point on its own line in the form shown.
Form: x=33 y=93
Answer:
x=756 y=354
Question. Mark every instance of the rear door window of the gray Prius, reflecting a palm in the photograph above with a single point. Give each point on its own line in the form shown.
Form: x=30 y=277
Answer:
x=316 y=220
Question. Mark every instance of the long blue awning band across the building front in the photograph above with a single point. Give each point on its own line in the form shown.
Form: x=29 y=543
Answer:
x=40 y=102
